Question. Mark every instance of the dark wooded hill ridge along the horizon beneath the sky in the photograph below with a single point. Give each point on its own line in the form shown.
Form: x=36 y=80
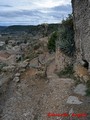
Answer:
x=44 y=29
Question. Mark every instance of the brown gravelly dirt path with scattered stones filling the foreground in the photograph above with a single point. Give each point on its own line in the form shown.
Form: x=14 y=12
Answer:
x=33 y=98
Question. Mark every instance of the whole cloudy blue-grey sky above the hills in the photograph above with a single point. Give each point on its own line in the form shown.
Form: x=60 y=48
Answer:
x=33 y=12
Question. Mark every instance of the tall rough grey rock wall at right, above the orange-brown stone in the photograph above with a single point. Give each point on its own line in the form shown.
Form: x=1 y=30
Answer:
x=81 y=11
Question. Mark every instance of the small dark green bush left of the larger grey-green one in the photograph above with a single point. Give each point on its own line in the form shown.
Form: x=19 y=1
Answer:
x=52 y=42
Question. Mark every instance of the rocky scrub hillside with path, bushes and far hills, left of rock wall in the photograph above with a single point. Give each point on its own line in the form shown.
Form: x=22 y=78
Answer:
x=34 y=86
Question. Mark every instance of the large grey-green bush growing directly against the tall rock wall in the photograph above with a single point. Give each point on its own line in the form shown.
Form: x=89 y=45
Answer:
x=66 y=37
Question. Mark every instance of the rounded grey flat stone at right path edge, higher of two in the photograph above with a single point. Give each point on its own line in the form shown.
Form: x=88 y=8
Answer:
x=80 y=89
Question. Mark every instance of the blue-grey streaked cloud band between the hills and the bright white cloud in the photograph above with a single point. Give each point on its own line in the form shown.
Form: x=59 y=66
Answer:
x=33 y=17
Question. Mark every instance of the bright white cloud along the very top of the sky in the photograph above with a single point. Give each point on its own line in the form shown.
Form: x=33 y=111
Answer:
x=34 y=4
